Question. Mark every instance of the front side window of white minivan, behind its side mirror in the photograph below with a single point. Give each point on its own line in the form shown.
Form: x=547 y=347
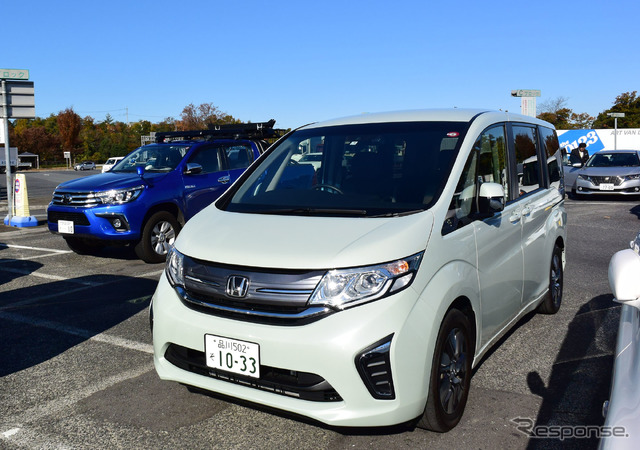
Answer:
x=487 y=163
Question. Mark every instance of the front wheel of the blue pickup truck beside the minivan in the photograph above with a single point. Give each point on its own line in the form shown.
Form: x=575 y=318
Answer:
x=158 y=234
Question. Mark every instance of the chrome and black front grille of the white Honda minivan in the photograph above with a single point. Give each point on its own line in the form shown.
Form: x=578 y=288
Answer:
x=269 y=296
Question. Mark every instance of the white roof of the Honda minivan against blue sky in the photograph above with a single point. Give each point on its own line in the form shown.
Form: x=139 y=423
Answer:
x=426 y=115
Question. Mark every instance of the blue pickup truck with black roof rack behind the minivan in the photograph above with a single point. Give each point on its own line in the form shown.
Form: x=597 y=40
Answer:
x=147 y=197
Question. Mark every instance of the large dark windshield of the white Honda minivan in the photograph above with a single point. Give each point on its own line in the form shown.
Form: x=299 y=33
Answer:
x=353 y=170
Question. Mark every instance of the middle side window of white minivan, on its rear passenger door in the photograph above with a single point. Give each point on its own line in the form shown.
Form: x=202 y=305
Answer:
x=526 y=159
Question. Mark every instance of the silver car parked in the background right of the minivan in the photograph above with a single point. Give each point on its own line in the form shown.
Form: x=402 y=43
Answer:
x=607 y=172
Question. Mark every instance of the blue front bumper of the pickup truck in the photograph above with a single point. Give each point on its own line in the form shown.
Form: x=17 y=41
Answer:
x=110 y=223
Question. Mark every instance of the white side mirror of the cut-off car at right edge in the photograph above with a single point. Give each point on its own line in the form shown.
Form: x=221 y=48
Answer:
x=624 y=273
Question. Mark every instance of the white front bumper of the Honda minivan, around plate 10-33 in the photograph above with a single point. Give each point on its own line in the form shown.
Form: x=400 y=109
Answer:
x=327 y=348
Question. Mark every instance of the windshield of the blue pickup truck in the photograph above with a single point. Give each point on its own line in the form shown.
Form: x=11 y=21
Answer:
x=153 y=157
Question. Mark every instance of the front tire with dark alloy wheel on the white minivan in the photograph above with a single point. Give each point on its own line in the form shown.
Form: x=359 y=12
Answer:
x=450 y=378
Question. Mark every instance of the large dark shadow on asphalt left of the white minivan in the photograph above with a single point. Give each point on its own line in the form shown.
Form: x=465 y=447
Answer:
x=40 y=322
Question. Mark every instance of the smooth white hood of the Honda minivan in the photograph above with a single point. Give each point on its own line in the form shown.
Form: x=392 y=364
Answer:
x=294 y=242
